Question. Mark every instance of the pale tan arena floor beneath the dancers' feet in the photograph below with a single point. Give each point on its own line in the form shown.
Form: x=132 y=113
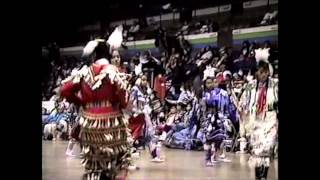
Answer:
x=179 y=165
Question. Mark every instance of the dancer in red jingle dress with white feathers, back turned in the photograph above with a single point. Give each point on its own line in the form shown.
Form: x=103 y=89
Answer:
x=104 y=134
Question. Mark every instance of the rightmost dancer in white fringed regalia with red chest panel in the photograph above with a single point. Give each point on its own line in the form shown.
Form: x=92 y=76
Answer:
x=260 y=105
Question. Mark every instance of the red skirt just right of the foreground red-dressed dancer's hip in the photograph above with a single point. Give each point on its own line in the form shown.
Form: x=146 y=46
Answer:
x=136 y=124
